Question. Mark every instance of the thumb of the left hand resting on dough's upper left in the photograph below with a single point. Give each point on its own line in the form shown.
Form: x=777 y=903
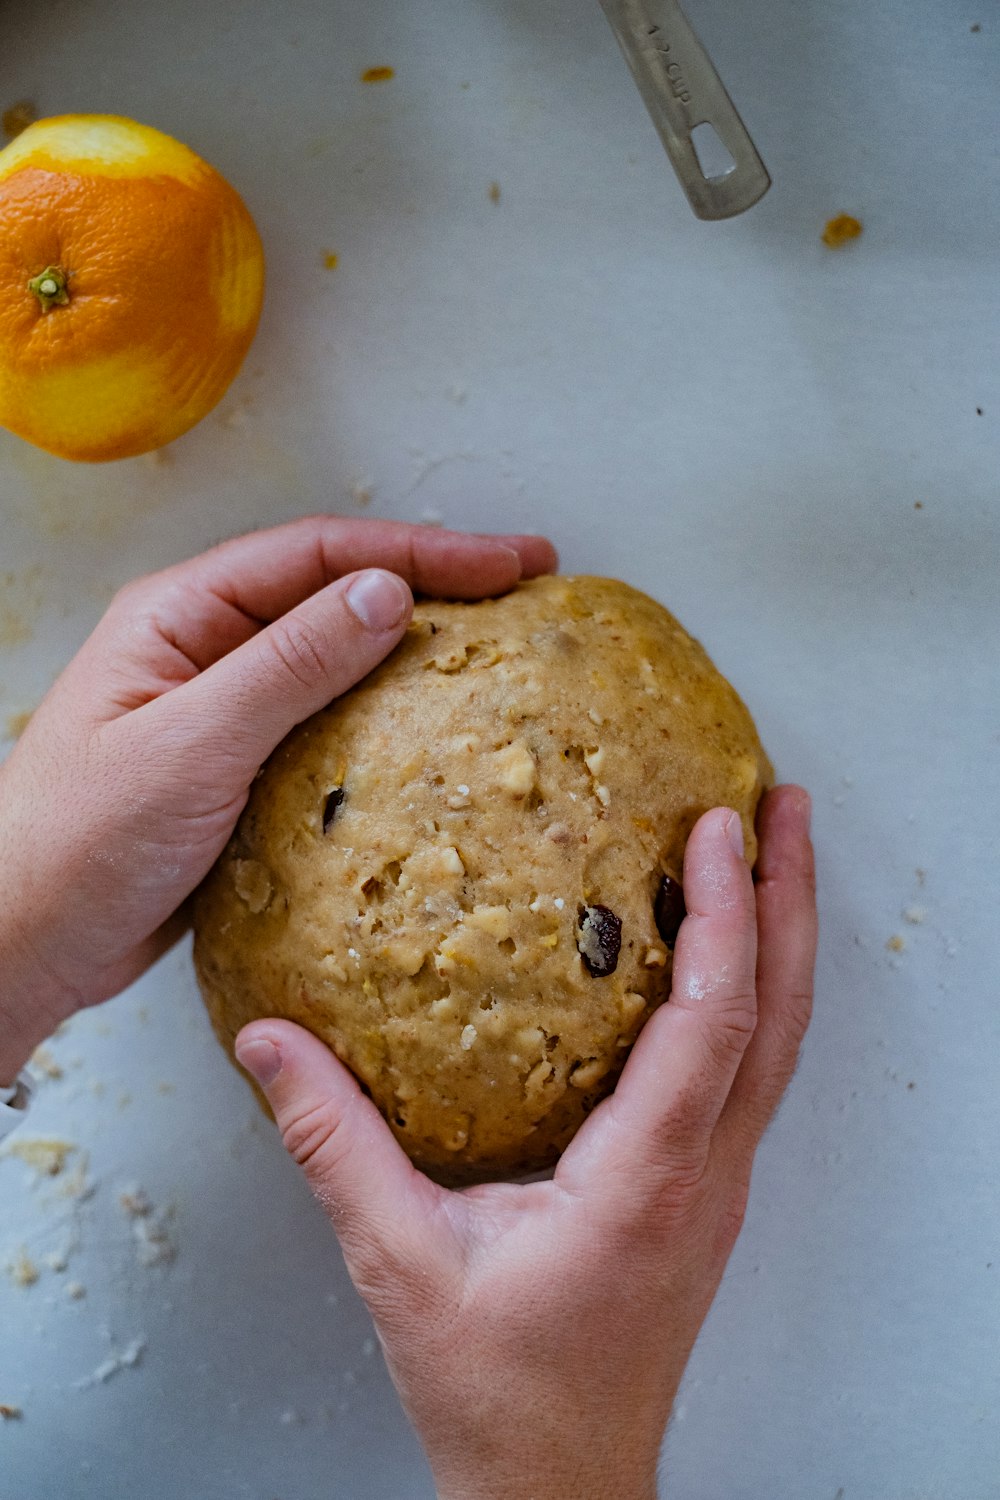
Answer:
x=235 y=715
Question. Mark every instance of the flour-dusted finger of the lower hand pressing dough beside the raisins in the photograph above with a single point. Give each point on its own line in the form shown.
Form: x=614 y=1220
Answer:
x=683 y=1067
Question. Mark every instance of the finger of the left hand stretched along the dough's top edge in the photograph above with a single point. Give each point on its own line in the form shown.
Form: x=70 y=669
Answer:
x=214 y=604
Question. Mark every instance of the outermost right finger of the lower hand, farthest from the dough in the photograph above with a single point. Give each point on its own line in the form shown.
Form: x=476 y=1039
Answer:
x=786 y=959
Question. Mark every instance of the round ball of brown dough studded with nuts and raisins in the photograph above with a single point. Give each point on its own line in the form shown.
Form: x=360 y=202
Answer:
x=466 y=875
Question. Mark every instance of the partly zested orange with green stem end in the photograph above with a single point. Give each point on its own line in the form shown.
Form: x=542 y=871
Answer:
x=131 y=286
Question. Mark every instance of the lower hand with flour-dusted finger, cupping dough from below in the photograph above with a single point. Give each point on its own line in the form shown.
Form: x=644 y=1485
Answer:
x=537 y=1333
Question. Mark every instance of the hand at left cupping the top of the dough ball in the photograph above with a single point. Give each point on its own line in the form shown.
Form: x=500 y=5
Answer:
x=134 y=770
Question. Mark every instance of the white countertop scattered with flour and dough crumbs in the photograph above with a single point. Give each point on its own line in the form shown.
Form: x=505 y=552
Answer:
x=780 y=442
